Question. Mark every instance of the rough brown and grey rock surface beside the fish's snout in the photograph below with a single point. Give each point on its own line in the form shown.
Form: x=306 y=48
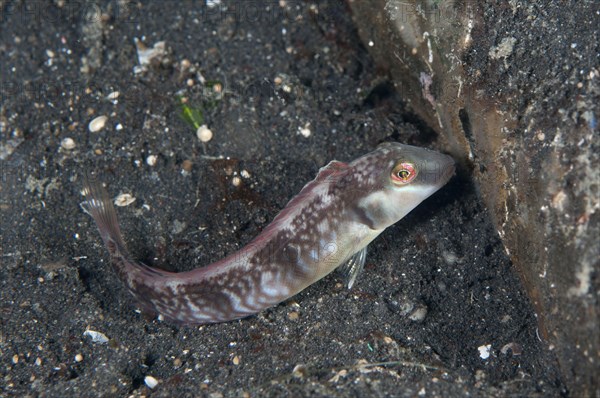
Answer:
x=513 y=87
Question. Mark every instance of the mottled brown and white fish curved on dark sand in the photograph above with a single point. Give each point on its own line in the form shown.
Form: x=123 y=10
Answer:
x=328 y=225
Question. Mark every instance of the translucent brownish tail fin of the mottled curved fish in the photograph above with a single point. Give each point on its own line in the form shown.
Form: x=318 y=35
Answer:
x=98 y=204
